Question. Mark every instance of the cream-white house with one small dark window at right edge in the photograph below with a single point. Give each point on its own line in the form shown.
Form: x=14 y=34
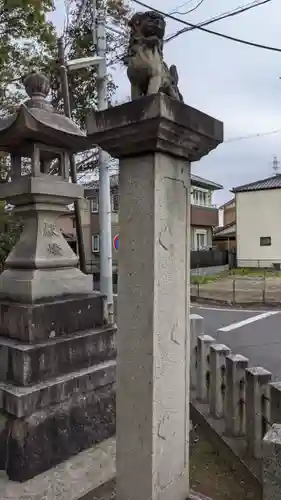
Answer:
x=258 y=213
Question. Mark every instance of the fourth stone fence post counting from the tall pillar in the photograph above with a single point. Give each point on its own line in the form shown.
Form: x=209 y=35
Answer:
x=236 y=365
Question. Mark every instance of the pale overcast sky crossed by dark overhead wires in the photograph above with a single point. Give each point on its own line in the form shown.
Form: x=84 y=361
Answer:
x=237 y=84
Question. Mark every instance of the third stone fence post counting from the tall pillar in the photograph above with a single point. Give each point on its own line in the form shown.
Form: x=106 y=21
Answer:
x=218 y=355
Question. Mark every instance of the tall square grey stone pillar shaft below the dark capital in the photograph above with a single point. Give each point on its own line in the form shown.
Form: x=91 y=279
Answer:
x=153 y=338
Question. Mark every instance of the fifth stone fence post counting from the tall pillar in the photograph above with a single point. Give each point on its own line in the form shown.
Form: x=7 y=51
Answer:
x=257 y=407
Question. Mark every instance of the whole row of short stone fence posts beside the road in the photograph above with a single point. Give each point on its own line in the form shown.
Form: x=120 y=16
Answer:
x=242 y=397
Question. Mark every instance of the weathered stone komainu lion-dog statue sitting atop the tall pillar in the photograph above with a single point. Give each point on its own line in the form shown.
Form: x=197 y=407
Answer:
x=146 y=69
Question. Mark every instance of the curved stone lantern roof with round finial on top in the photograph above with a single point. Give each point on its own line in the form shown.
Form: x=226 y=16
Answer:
x=36 y=120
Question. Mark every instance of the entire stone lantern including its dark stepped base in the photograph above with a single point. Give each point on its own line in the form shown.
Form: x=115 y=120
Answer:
x=57 y=350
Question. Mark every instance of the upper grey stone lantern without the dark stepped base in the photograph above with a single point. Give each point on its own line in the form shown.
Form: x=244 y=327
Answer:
x=42 y=264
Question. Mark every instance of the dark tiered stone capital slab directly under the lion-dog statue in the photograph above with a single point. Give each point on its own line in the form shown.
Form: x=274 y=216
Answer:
x=155 y=123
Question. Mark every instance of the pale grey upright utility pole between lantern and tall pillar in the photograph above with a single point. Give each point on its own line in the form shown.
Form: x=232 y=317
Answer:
x=106 y=286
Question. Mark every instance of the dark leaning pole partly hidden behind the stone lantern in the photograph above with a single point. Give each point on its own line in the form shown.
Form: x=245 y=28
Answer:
x=67 y=111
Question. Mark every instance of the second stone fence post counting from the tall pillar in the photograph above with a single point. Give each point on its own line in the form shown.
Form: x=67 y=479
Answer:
x=204 y=343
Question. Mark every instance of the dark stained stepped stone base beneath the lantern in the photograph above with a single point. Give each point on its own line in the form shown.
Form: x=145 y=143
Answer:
x=57 y=390
